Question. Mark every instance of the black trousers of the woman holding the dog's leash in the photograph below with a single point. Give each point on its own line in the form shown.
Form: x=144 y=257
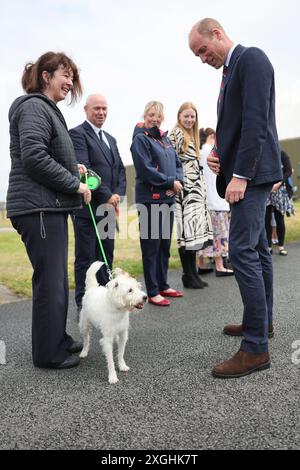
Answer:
x=45 y=236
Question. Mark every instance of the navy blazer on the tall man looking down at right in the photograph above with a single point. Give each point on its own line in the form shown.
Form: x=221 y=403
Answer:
x=247 y=141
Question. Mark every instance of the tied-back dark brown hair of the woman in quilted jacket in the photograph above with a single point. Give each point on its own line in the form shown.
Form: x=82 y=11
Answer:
x=33 y=82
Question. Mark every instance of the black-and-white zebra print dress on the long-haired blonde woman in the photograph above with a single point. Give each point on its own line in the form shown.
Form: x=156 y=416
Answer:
x=194 y=228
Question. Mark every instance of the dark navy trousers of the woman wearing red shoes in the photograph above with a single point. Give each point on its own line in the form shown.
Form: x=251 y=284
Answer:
x=155 y=240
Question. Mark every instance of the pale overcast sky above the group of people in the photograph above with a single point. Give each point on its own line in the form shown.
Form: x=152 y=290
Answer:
x=134 y=51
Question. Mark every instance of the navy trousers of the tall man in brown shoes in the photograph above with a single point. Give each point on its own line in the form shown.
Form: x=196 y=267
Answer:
x=252 y=262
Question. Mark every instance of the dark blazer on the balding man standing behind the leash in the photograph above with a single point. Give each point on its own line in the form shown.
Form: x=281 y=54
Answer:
x=96 y=155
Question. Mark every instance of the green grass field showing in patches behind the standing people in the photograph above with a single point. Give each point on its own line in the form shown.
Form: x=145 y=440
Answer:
x=16 y=271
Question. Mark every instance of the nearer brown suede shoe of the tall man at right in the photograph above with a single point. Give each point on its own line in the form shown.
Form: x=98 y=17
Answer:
x=242 y=363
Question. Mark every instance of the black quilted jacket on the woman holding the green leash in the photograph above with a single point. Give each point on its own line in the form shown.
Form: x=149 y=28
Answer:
x=44 y=174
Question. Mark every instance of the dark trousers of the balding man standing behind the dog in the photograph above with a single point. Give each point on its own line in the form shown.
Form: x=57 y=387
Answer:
x=87 y=250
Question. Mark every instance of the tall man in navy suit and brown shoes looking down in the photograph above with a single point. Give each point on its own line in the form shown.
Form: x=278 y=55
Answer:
x=247 y=161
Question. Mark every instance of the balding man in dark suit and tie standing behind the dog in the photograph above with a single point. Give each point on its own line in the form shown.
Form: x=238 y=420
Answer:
x=97 y=150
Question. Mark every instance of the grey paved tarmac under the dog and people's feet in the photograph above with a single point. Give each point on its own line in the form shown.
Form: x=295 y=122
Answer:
x=168 y=400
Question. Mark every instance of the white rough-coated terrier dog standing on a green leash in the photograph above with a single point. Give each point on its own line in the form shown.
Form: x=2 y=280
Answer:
x=107 y=308
